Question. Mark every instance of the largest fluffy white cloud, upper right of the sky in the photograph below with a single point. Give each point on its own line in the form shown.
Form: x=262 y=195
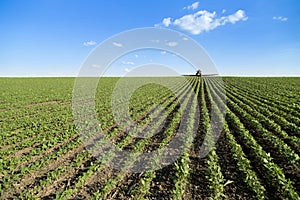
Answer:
x=204 y=20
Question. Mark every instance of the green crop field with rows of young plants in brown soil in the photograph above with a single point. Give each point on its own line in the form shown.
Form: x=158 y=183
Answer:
x=256 y=156
